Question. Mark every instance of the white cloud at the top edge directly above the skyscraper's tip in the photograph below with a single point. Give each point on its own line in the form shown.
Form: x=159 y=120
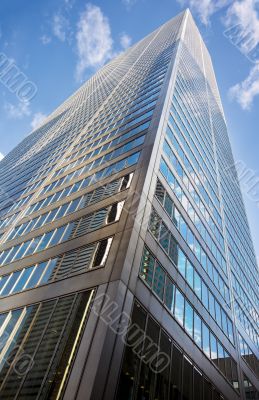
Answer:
x=204 y=8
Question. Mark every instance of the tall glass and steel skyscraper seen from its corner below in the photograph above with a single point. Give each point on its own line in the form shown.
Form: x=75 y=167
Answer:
x=127 y=265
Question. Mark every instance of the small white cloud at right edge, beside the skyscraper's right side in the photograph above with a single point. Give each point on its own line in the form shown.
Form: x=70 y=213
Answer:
x=245 y=92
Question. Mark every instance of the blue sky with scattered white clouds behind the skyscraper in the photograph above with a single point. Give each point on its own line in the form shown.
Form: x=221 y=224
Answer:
x=57 y=44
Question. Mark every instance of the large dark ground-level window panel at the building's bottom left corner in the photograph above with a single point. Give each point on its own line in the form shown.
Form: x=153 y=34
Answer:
x=51 y=349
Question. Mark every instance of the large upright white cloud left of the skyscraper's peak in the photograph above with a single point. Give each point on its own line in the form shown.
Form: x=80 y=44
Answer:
x=94 y=40
